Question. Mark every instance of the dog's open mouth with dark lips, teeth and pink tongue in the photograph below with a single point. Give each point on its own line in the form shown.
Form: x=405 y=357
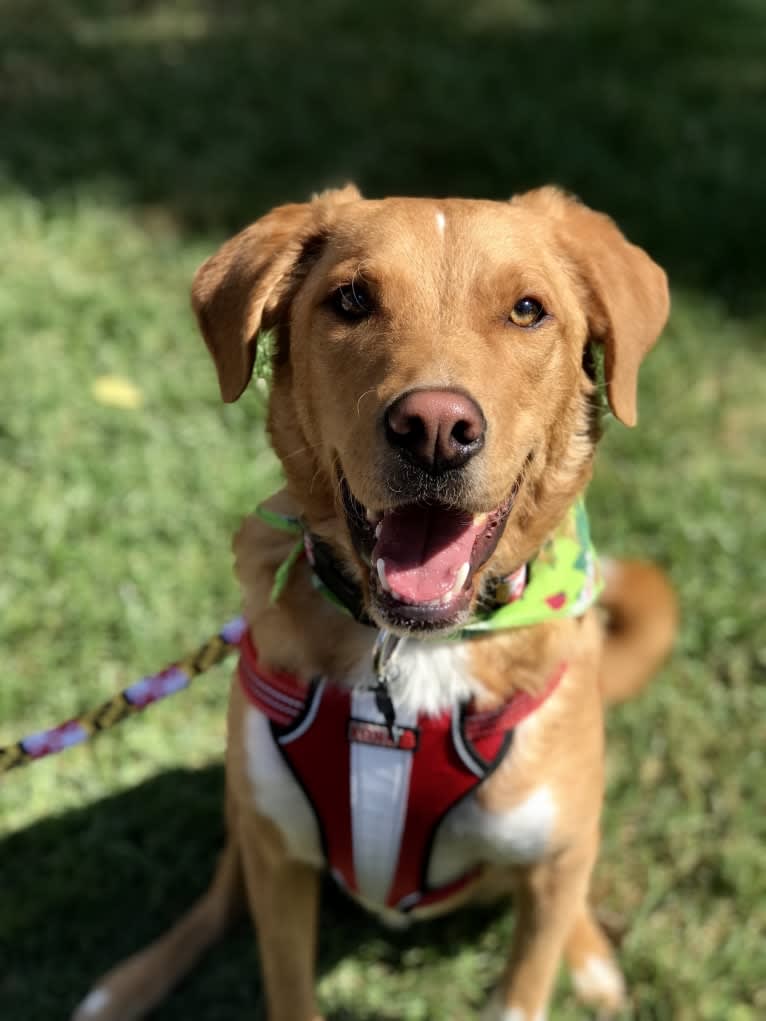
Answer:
x=423 y=558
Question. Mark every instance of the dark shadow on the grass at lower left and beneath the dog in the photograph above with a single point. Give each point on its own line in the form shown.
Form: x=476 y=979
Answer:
x=83 y=891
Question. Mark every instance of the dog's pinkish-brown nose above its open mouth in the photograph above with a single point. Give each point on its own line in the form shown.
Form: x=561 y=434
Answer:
x=438 y=430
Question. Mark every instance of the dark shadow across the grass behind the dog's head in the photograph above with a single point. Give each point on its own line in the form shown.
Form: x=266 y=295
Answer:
x=215 y=110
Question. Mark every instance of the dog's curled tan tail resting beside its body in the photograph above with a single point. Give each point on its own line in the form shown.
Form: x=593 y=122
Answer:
x=642 y=620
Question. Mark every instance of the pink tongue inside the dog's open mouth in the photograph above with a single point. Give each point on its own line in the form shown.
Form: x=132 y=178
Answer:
x=423 y=549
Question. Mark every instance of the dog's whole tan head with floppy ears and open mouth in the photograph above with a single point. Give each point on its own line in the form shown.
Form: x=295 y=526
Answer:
x=434 y=401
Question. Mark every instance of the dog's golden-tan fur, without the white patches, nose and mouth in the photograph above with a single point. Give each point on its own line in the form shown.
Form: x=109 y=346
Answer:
x=444 y=298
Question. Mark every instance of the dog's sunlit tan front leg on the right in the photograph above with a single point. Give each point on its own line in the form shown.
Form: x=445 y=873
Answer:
x=550 y=899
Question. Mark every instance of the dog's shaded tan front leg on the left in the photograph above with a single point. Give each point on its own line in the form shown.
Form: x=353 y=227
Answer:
x=283 y=896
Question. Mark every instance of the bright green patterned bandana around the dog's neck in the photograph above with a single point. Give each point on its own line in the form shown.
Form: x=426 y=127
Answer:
x=563 y=580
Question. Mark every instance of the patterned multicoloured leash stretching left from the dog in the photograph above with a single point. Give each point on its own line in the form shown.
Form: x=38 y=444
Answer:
x=132 y=700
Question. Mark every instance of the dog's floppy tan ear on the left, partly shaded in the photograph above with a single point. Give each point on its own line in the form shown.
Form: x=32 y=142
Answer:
x=237 y=293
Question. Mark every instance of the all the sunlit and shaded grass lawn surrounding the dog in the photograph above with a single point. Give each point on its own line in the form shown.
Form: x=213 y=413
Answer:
x=134 y=137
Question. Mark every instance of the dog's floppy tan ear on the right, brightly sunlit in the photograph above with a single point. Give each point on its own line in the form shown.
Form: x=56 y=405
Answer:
x=626 y=293
